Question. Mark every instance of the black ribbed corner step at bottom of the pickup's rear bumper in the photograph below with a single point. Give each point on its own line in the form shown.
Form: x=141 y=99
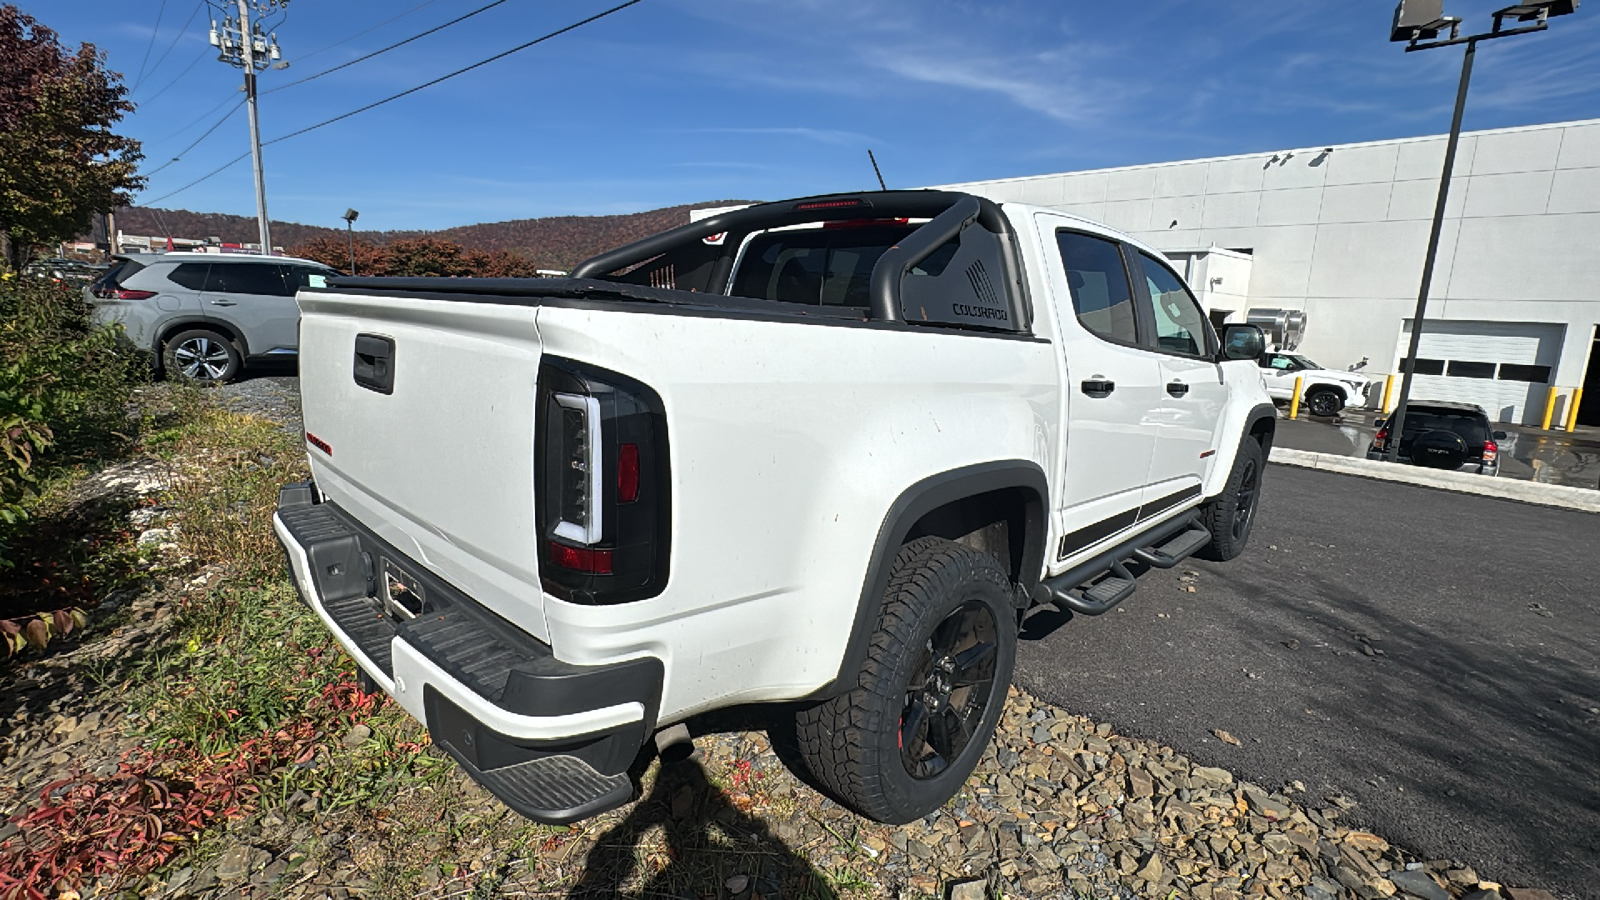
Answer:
x=554 y=790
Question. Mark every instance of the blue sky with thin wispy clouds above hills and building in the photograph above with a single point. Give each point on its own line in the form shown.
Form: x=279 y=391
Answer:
x=679 y=102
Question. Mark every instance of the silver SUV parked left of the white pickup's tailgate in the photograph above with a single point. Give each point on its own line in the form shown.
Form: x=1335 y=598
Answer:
x=204 y=315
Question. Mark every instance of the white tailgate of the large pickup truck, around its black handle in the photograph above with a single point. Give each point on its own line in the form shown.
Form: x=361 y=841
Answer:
x=442 y=465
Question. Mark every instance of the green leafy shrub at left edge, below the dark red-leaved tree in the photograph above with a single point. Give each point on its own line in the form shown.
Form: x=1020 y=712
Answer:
x=63 y=387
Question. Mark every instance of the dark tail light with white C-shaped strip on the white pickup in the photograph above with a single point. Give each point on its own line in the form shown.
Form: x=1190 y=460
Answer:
x=602 y=488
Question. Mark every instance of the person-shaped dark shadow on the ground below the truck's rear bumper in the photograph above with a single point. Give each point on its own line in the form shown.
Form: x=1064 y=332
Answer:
x=690 y=838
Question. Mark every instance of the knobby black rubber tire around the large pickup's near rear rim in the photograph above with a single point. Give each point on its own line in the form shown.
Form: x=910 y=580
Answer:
x=854 y=744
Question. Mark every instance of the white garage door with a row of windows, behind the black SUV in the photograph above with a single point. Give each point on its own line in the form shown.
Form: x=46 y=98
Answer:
x=1503 y=368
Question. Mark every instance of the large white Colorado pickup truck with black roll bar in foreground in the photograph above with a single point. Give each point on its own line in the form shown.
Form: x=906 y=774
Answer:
x=823 y=452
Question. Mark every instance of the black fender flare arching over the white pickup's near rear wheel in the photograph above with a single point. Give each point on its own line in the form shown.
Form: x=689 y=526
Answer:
x=906 y=512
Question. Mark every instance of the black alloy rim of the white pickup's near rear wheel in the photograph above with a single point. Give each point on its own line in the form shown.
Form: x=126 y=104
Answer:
x=950 y=691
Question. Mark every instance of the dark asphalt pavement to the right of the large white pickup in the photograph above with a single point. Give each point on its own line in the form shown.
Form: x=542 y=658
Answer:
x=1434 y=657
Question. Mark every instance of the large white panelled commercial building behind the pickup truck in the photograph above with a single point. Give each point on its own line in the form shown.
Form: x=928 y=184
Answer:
x=1342 y=231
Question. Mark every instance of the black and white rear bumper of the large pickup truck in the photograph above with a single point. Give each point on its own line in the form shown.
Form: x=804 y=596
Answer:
x=550 y=739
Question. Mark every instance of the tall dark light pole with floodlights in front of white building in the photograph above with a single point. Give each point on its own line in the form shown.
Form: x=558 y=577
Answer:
x=1422 y=22
